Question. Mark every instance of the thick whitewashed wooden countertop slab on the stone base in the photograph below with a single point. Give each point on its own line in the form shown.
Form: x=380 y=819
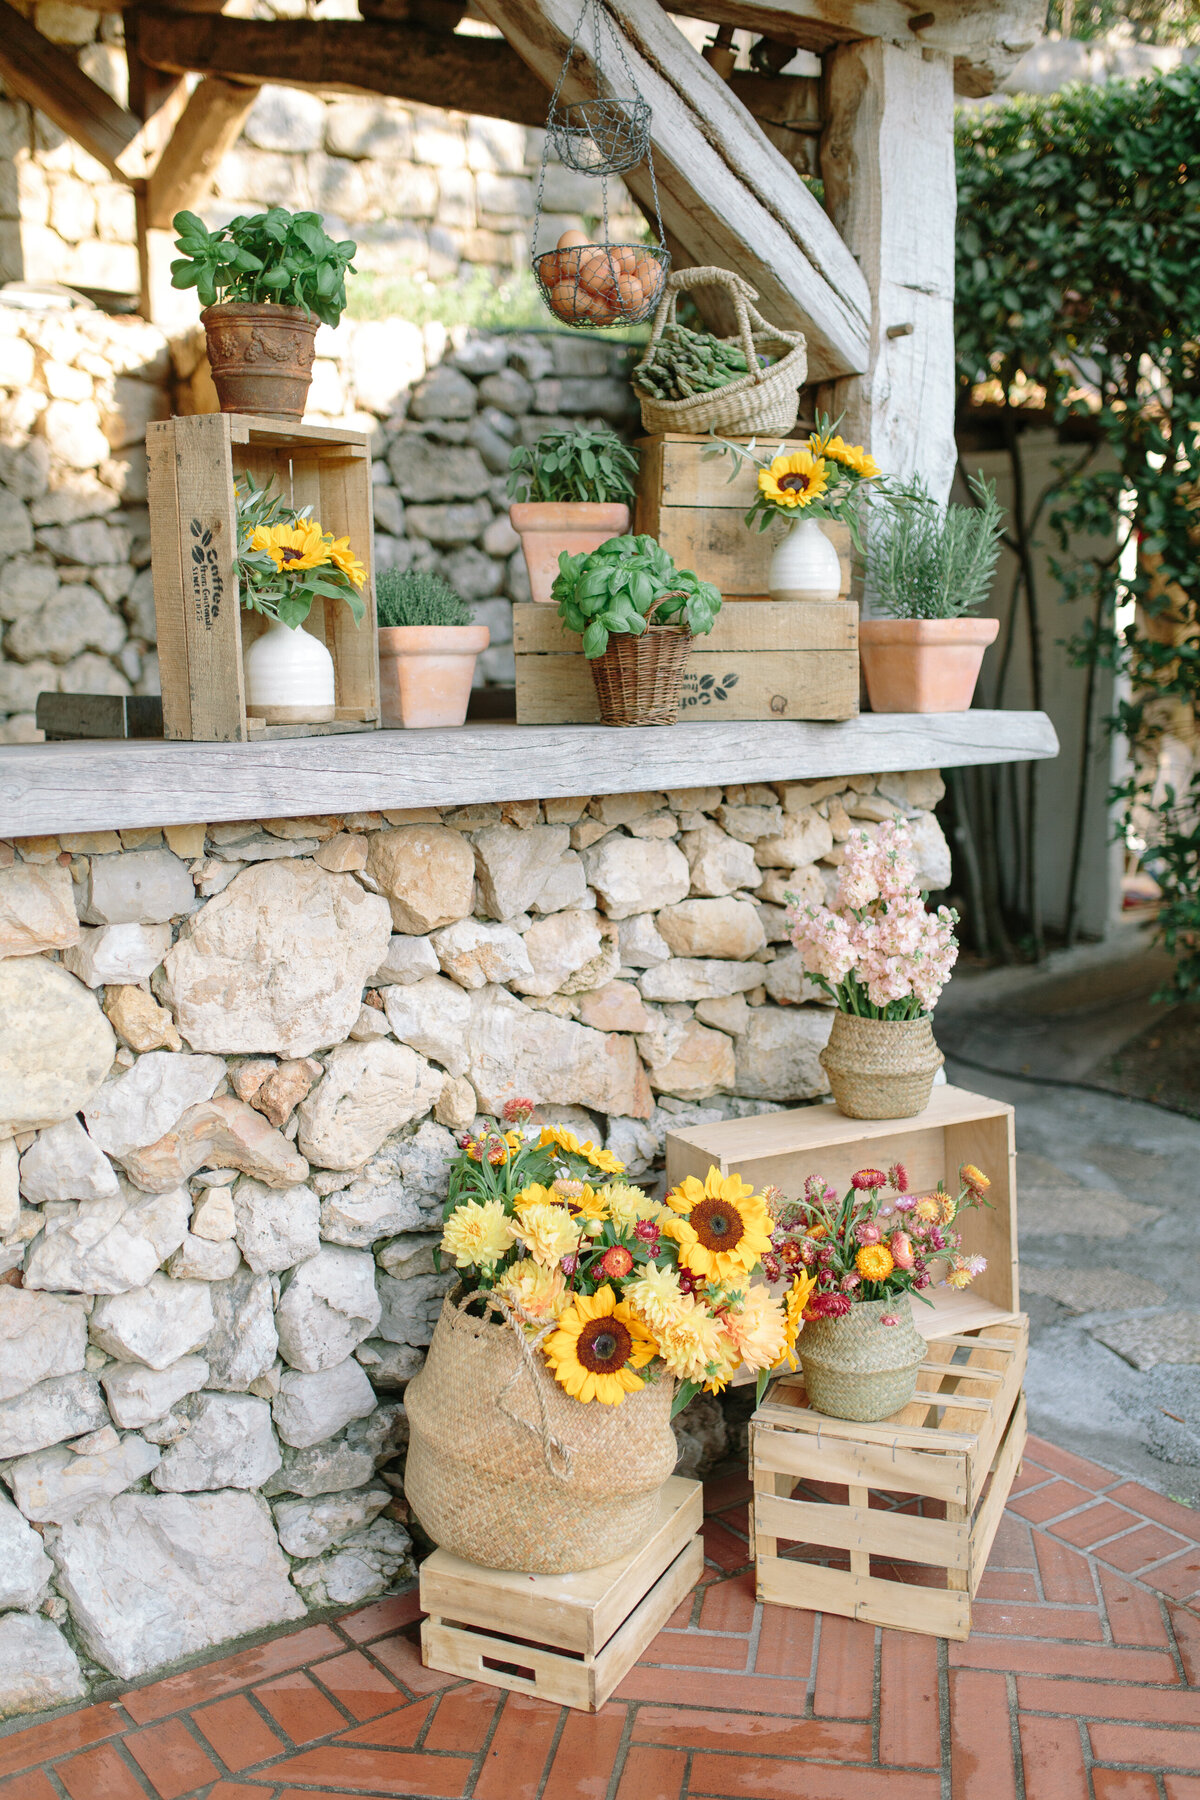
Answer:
x=100 y=787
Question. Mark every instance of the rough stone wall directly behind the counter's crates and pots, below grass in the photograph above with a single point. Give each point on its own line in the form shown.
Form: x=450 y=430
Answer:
x=78 y=390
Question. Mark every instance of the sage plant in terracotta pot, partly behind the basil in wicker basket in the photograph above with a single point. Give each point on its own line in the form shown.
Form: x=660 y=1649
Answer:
x=571 y=492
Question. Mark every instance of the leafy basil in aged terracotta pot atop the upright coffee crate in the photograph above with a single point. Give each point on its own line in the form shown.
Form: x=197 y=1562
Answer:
x=265 y=285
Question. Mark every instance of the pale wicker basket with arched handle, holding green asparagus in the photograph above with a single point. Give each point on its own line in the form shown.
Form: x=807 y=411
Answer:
x=766 y=400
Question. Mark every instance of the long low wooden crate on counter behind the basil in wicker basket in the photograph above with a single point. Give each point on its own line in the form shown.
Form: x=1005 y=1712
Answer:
x=784 y=660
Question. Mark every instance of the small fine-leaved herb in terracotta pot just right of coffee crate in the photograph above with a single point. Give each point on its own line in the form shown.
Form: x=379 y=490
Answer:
x=427 y=651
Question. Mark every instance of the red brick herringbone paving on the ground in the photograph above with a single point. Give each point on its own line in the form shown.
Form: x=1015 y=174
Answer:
x=1080 y=1682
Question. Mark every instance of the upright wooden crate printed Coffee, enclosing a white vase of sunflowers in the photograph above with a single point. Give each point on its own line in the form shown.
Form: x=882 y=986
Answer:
x=202 y=631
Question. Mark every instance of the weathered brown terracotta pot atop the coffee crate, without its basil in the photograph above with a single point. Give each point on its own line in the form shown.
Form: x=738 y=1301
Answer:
x=262 y=357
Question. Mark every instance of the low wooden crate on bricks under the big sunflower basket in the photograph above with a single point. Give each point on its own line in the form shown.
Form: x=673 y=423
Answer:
x=568 y=1639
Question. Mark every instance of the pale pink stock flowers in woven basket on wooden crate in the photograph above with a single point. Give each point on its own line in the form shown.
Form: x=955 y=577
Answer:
x=884 y=962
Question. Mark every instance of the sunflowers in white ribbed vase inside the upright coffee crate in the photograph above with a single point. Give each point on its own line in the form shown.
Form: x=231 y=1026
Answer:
x=287 y=562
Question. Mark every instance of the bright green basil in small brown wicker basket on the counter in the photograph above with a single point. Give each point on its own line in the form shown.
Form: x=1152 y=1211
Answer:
x=638 y=616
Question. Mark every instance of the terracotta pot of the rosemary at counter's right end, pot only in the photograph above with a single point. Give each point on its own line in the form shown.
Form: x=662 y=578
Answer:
x=924 y=665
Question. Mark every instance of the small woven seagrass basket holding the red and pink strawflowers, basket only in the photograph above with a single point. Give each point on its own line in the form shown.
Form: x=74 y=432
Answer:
x=859 y=1367
